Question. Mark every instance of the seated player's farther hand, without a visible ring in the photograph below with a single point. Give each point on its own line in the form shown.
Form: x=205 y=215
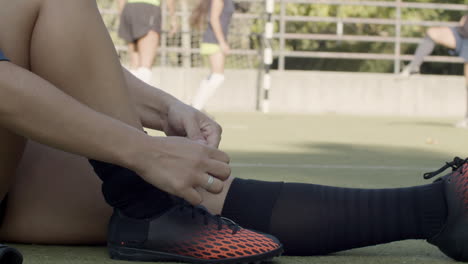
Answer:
x=186 y=121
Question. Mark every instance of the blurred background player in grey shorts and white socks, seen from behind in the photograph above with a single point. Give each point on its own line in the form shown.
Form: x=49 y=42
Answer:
x=141 y=27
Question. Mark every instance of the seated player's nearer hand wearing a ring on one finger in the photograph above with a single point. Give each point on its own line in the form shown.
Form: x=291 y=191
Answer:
x=179 y=166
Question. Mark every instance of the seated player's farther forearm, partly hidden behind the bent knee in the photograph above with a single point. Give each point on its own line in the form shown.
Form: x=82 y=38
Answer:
x=152 y=104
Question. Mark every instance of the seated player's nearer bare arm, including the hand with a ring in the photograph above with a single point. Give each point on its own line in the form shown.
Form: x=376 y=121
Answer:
x=34 y=108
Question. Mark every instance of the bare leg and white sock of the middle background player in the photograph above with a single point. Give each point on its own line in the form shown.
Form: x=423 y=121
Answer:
x=209 y=85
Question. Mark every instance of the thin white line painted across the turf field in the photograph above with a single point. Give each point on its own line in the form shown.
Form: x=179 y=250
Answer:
x=328 y=166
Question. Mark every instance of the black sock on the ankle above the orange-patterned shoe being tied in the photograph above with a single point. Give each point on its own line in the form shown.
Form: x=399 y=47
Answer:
x=125 y=190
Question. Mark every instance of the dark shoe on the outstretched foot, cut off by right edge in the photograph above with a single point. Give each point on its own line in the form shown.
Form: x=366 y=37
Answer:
x=452 y=240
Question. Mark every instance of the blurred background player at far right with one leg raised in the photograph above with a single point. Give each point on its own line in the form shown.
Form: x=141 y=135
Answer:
x=454 y=38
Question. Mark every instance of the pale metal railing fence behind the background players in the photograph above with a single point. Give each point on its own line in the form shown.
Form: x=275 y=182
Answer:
x=187 y=49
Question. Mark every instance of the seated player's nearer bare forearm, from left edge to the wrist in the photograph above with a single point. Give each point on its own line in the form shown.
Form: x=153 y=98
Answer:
x=35 y=109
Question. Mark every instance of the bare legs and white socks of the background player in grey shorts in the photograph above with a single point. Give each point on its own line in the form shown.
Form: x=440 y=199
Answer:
x=147 y=49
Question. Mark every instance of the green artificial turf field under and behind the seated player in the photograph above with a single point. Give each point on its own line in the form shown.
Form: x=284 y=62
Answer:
x=363 y=152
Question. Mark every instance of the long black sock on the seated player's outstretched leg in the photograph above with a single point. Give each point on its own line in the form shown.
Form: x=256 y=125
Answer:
x=315 y=220
